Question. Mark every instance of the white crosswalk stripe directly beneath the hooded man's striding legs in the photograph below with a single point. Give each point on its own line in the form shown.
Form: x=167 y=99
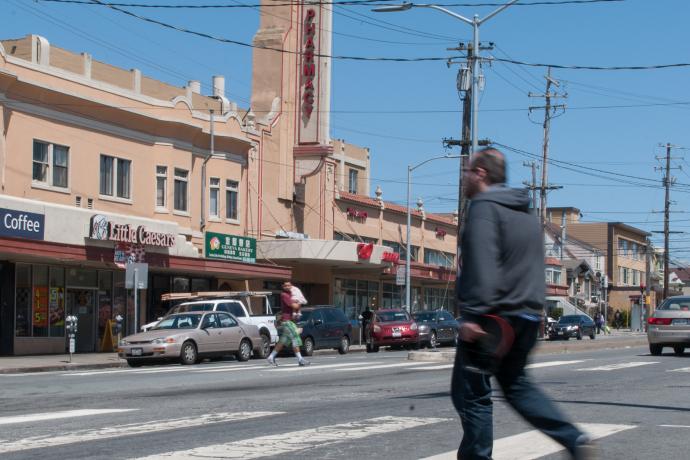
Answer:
x=534 y=444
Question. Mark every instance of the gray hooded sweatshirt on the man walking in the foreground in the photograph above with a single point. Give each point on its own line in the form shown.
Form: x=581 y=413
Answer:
x=502 y=267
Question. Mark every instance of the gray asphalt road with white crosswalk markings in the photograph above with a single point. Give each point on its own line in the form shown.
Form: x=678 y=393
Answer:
x=342 y=407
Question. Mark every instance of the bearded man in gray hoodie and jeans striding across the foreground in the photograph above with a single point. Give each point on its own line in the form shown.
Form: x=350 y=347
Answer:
x=502 y=273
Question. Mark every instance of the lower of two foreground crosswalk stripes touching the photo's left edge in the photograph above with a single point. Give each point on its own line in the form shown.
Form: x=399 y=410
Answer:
x=38 y=442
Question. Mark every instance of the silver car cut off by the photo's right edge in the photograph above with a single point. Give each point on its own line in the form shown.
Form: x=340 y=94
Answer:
x=669 y=326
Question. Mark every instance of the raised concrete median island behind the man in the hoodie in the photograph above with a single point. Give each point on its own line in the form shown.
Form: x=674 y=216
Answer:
x=542 y=348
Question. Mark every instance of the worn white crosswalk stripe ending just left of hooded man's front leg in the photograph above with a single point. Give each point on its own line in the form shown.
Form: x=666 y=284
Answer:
x=286 y=443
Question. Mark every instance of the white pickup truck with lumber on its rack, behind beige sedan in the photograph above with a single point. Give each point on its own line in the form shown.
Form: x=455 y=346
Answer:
x=249 y=307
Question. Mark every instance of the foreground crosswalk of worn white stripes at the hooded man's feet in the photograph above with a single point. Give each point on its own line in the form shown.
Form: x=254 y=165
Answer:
x=523 y=446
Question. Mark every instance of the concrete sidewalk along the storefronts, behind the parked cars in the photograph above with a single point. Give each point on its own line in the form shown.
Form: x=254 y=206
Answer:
x=85 y=361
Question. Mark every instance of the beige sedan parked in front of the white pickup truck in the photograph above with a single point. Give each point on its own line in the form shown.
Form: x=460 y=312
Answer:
x=191 y=336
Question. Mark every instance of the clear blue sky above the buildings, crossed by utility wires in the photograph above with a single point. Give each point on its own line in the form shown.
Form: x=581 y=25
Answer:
x=401 y=111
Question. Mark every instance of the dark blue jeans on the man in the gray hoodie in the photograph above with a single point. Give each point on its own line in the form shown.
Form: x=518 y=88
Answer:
x=471 y=393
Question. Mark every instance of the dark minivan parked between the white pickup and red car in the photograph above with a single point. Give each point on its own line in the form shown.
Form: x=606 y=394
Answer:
x=324 y=326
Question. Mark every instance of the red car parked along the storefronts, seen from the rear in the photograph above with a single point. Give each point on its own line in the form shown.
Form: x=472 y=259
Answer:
x=392 y=327
